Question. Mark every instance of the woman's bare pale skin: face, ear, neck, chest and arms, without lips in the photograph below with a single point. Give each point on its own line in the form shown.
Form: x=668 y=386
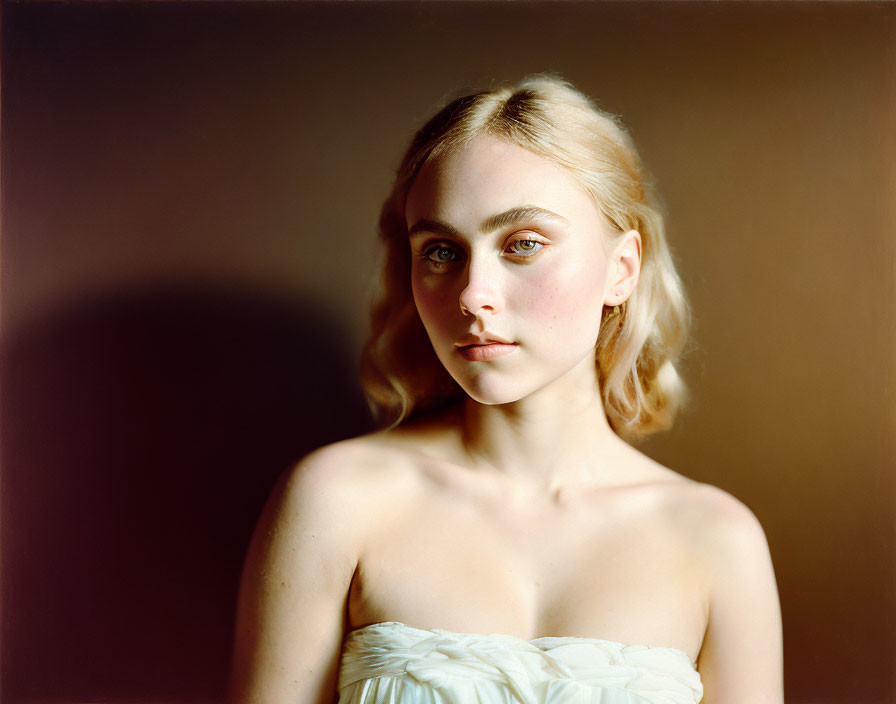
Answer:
x=519 y=511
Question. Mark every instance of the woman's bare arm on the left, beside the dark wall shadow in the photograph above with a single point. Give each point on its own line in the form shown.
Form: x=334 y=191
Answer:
x=291 y=610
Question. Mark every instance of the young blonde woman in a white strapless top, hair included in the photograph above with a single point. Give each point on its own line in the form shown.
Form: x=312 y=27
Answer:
x=501 y=541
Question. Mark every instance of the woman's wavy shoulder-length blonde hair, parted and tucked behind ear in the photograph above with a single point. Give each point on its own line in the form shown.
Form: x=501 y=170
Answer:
x=637 y=346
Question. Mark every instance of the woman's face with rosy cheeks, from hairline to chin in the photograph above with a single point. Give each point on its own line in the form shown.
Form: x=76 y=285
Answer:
x=509 y=270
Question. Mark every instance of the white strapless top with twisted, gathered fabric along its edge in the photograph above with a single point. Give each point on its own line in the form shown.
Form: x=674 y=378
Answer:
x=392 y=663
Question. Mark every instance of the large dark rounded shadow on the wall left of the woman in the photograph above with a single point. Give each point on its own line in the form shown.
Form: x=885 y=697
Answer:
x=142 y=436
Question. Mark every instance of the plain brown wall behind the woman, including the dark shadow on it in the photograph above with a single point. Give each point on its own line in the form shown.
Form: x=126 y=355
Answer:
x=189 y=196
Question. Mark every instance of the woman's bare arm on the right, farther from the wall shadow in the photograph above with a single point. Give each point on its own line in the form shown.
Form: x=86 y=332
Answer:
x=741 y=658
